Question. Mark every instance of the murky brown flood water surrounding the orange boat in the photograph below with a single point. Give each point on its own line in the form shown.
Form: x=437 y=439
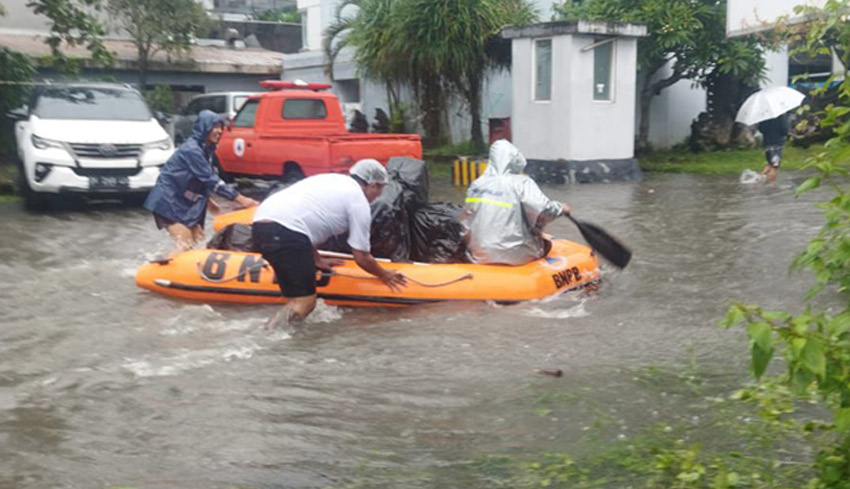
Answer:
x=103 y=384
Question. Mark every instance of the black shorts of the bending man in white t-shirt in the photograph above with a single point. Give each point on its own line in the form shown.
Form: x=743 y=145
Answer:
x=291 y=256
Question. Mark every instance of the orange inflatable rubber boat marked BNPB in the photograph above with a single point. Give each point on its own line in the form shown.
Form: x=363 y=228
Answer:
x=234 y=276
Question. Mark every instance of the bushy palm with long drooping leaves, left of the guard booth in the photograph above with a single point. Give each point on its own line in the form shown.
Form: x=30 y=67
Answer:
x=433 y=46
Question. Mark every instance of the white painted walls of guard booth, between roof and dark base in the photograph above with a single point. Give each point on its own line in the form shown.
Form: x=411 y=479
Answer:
x=572 y=125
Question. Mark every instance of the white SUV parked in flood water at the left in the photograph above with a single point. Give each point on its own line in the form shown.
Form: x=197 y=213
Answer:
x=88 y=139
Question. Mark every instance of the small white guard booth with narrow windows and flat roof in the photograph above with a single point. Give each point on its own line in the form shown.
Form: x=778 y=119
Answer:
x=574 y=95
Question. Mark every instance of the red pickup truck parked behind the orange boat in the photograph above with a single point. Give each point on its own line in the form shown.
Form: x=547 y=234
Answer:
x=298 y=130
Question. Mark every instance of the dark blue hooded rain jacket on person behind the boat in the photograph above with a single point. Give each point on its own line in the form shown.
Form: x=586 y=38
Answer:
x=187 y=178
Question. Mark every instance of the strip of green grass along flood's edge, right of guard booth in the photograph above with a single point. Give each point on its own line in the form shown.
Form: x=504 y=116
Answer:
x=731 y=161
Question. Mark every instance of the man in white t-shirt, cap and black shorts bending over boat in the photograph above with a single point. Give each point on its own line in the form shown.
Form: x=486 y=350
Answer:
x=290 y=224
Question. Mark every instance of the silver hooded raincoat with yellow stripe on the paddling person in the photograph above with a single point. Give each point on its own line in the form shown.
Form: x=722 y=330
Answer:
x=506 y=211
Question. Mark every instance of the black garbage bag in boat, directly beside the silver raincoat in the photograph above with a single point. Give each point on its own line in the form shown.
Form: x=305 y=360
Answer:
x=436 y=234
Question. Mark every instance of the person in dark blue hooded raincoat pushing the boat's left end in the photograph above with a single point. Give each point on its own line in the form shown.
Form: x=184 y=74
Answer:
x=180 y=198
